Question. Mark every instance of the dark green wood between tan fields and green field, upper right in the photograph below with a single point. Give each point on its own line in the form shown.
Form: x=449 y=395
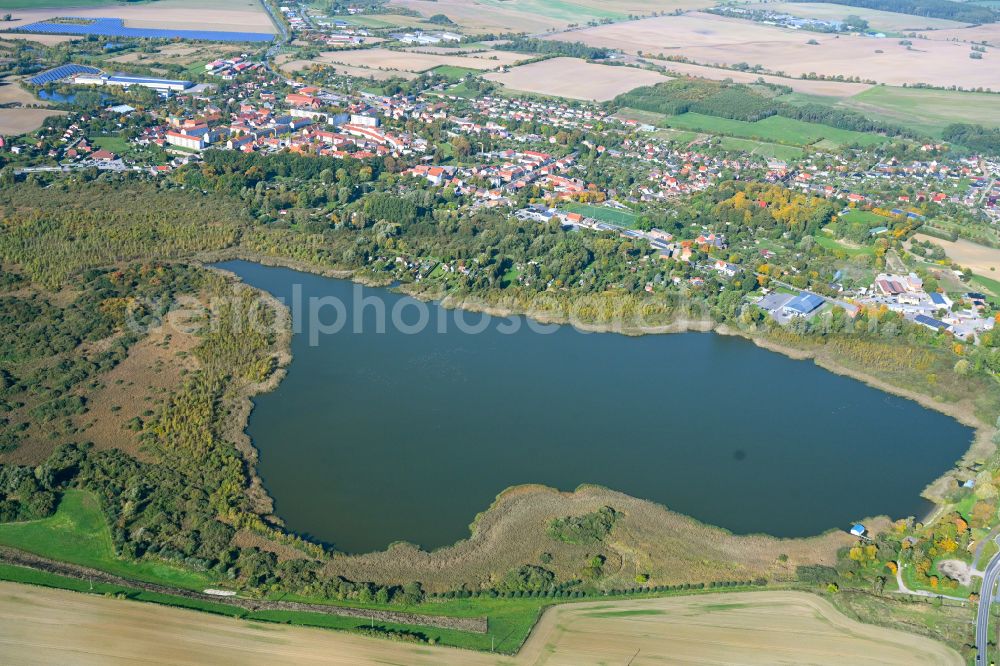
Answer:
x=741 y=102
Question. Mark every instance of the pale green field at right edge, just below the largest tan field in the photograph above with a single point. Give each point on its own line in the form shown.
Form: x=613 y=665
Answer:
x=920 y=109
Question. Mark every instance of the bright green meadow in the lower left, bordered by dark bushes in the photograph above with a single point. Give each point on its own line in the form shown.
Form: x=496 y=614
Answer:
x=78 y=533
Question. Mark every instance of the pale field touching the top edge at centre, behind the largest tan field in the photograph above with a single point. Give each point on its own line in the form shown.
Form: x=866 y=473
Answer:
x=531 y=16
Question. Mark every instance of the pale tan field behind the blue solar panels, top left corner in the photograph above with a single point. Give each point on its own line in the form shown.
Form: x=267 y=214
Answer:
x=227 y=15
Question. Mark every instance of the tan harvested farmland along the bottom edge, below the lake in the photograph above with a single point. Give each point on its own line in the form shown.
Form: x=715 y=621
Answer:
x=45 y=626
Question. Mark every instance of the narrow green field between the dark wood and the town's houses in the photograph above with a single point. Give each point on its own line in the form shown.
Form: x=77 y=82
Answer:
x=775 y=129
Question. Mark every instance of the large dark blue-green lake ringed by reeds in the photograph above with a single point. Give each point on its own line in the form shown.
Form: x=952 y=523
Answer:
x=379 y=437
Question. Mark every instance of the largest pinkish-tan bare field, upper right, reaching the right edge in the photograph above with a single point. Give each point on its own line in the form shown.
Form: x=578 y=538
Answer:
x=704 y=38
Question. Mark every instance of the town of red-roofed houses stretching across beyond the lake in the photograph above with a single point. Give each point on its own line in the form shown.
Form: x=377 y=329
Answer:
x=519 y=154
